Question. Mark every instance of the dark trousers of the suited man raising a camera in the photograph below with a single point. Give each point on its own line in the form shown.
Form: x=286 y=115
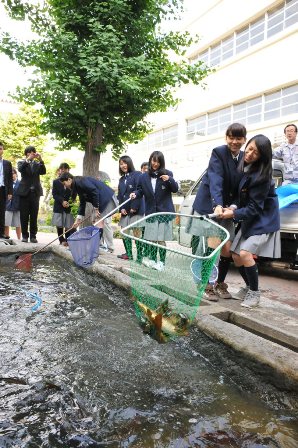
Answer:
x=29 y=206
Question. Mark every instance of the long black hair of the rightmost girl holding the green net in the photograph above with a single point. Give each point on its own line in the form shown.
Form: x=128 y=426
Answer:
x=264 y=164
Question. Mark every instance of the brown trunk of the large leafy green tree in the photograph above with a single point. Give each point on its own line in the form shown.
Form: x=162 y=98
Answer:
x=91 y=156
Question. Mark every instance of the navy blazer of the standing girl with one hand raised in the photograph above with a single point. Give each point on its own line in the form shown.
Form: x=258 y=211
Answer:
x=160 y=200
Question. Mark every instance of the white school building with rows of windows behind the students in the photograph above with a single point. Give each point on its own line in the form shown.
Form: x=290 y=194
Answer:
x=253 y=47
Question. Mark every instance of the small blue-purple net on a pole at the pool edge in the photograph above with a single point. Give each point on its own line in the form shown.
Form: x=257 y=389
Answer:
x=84 y=245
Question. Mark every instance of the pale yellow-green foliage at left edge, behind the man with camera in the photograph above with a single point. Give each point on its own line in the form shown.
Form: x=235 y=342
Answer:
x=20 y=130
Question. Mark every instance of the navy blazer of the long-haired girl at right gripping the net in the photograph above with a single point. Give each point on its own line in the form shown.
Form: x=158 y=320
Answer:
x=258 y=208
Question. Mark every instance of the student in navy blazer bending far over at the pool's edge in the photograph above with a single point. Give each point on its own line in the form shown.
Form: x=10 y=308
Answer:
x=89 y=189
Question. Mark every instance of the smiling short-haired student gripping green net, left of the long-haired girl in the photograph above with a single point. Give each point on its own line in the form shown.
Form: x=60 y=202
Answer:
x=218 y=189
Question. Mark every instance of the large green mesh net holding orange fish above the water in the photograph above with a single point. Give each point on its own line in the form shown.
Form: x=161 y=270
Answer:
x=172 y=258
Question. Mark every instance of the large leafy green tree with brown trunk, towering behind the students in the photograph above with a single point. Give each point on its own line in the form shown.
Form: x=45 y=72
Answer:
x=101 y=68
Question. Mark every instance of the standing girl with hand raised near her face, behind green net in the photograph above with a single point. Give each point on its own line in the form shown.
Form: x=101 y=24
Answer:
x=157 y=186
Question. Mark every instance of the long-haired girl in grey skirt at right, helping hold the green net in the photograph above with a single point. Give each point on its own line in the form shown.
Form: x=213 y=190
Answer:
x=258 y=215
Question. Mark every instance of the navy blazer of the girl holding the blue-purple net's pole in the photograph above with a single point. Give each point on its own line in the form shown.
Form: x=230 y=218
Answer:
x=128 y=184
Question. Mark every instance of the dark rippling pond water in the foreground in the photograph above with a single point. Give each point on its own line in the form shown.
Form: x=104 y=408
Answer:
x=79 y=372
